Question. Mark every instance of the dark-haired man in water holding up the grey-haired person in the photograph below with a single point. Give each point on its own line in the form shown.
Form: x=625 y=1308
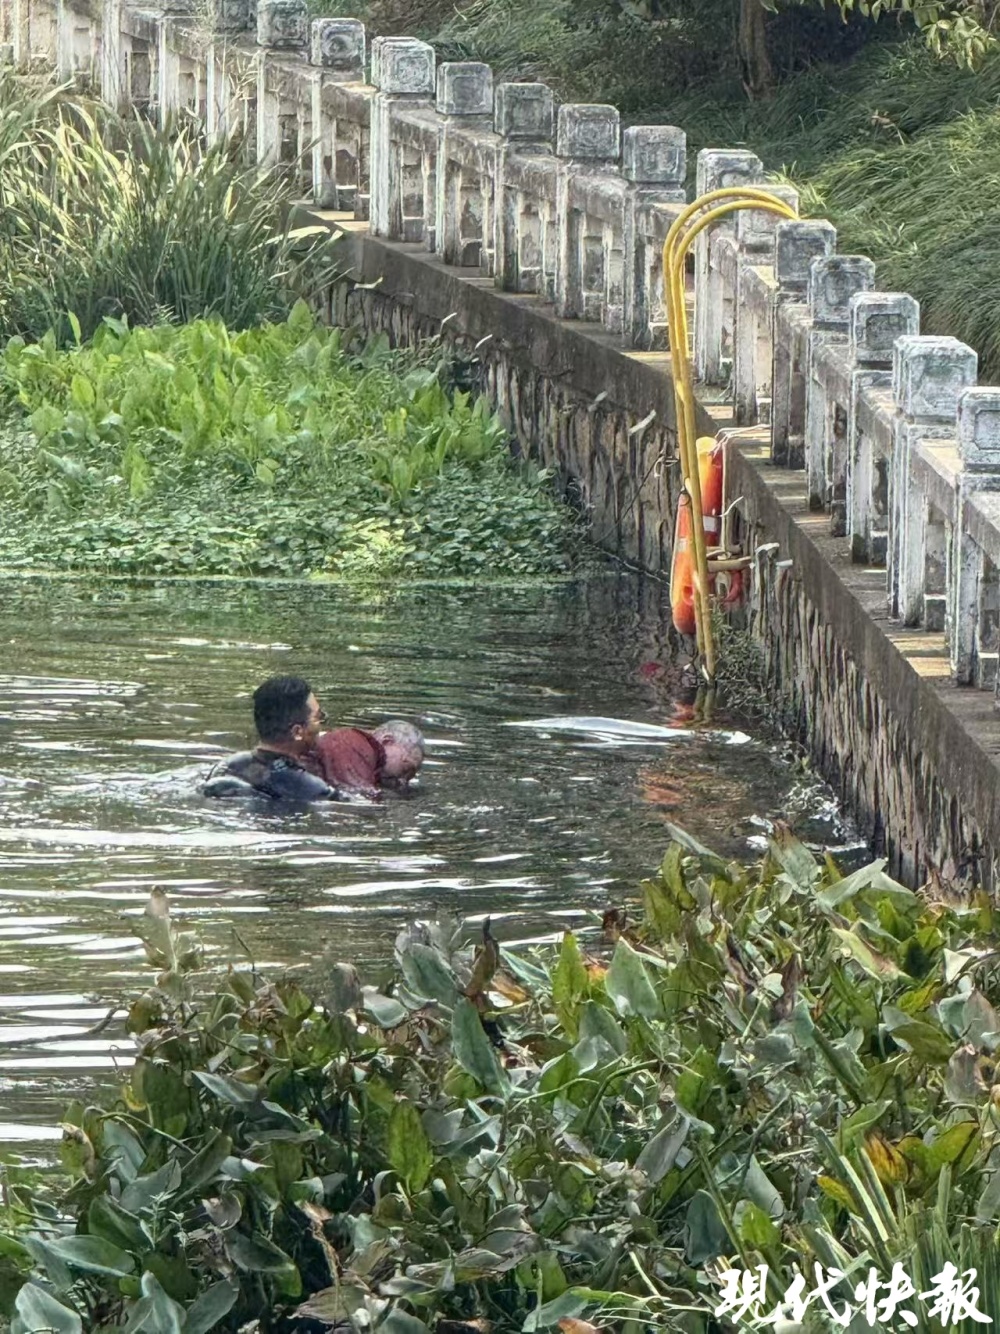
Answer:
x=289 y=721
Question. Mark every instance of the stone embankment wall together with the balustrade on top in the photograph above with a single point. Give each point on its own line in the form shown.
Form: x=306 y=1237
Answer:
x=865 y=450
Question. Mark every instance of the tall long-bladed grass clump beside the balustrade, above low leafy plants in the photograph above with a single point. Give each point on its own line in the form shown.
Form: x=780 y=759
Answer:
x=102 y=217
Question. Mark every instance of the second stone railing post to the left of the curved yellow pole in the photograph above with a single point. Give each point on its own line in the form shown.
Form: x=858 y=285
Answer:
x=587 y=142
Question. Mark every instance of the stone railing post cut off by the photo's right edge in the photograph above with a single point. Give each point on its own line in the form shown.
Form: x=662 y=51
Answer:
x=974 y=628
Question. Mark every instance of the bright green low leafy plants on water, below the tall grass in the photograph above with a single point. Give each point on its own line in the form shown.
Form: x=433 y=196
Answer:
x=277 y=452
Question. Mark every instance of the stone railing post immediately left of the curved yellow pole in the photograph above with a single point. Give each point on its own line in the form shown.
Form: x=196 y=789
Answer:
x=654 y=162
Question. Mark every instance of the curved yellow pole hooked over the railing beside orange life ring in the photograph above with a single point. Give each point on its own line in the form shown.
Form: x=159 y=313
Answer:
x=675 y=250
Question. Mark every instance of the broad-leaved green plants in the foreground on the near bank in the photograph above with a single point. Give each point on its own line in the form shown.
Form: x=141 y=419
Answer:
x=755 y=1067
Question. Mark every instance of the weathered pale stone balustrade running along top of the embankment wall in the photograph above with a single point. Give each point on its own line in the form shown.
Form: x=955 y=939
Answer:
x=899 y=446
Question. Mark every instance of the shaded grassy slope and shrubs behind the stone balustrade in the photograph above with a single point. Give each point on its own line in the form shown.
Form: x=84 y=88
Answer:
x=887 y=137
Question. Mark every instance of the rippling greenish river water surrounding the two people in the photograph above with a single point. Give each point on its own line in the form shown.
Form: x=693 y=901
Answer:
x=555 y=756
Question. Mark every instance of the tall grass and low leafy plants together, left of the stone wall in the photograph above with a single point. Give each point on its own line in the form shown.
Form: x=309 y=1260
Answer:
x=174 y=409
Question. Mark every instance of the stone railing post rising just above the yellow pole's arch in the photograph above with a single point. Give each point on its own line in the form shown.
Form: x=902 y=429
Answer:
x=717 y=167
